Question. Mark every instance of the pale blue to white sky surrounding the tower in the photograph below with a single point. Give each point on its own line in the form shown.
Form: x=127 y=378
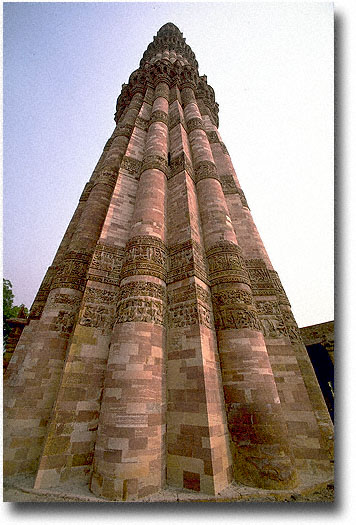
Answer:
x=271 y=66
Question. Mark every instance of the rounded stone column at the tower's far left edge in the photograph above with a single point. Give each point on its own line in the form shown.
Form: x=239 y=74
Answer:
x=42 y=349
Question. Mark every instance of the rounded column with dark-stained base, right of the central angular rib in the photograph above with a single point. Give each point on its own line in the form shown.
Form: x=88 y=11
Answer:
x=259 y=447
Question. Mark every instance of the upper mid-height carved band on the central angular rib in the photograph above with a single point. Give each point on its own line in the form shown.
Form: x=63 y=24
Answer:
x=185 y=260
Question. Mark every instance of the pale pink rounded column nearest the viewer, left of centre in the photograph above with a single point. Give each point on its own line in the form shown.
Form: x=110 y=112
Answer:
x=129 y=457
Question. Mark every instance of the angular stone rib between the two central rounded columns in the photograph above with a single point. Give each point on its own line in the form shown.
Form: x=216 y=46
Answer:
x=198 y=455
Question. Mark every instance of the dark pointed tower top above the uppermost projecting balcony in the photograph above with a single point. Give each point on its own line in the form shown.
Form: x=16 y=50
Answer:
x=169 y=44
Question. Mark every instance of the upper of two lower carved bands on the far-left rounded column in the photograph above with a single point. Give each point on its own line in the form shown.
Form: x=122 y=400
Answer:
x=72 y=272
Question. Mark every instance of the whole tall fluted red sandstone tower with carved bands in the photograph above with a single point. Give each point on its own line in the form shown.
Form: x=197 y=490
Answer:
x=161 y=347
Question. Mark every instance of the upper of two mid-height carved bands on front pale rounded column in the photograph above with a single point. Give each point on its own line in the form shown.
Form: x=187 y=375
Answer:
x=145 y=255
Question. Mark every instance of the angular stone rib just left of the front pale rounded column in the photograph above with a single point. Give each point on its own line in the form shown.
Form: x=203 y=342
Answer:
x=79 y=395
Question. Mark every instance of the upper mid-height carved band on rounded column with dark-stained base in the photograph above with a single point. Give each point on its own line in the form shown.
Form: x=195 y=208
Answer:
x=226 y=263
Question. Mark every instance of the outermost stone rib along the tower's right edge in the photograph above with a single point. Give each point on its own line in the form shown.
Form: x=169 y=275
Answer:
x=297 y=385
